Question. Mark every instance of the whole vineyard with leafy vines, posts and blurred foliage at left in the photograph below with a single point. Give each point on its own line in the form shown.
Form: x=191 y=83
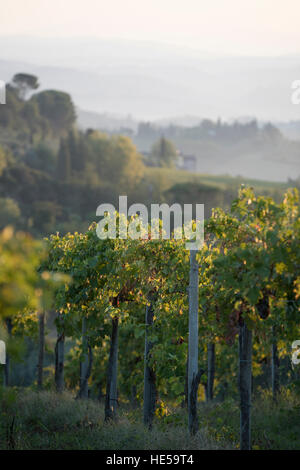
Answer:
x=144 y=324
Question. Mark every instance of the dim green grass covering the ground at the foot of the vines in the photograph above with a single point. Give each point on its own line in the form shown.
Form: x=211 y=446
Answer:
x=46 y=420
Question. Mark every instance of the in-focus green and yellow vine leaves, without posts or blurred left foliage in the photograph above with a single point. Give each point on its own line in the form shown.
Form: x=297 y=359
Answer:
x=248 y=270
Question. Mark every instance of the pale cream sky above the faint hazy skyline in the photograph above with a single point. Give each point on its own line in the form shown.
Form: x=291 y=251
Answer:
x=255 y=27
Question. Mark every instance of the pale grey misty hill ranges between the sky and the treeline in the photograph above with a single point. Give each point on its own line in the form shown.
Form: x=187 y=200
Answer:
x=152 y=81
